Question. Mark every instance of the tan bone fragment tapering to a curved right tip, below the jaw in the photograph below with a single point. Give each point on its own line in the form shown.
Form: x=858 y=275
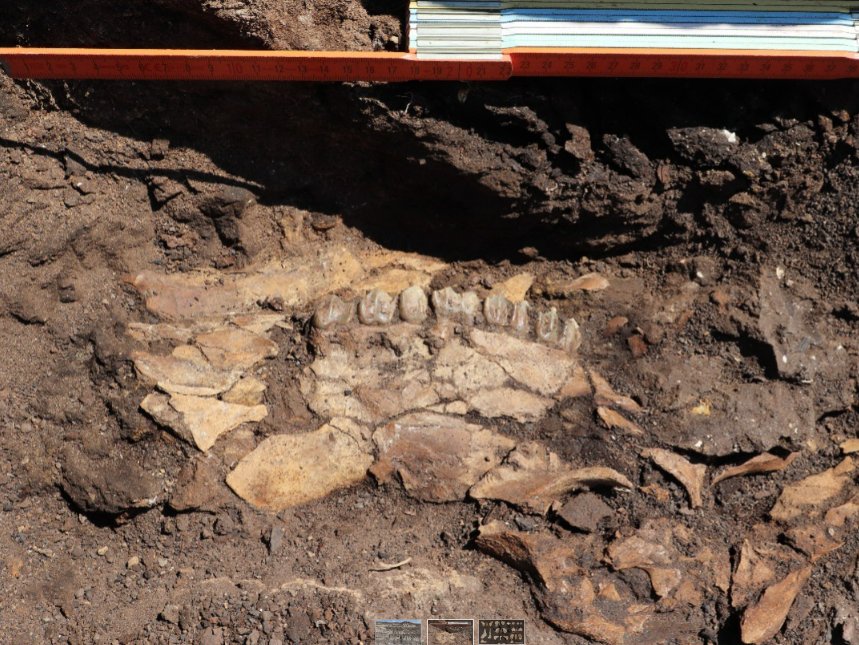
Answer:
x=532 y=478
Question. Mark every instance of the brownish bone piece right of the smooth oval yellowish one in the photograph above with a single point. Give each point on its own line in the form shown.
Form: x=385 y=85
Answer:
x=437 y=457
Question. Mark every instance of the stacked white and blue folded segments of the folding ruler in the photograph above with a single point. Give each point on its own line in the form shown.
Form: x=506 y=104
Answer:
x=488 y=28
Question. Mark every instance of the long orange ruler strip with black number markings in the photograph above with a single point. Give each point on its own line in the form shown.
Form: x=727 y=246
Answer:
x=352 y=66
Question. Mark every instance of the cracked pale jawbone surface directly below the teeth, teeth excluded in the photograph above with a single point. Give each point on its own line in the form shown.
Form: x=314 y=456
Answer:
x=492 y=373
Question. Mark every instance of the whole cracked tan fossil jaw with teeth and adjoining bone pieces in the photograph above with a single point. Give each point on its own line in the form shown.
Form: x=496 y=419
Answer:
x=389 y=387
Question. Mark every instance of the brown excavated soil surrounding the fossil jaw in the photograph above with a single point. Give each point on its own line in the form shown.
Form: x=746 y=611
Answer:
x=724 y=217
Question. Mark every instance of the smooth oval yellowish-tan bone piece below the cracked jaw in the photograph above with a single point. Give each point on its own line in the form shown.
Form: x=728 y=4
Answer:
x=289 y=470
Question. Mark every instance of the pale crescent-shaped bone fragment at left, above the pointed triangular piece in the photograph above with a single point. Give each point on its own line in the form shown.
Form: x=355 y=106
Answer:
x=181 y=376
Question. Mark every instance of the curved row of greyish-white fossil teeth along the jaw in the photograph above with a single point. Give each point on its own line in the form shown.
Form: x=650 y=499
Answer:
x=412 y=305
